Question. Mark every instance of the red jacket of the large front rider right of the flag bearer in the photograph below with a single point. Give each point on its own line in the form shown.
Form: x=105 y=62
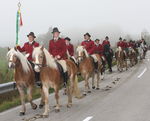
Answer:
x=58 y=48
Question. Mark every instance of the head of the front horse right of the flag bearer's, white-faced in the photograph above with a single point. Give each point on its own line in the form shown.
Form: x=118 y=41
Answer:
x=38 y=58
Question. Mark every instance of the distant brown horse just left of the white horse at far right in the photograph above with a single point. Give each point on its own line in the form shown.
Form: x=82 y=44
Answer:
x=132 y=56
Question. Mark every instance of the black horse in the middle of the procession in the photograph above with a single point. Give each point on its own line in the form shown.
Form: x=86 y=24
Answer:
x=108 y=53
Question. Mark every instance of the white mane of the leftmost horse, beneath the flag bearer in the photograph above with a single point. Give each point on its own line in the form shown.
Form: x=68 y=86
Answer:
x=24 y=62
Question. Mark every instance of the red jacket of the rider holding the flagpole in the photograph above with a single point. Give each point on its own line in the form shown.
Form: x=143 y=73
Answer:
x=28 y=49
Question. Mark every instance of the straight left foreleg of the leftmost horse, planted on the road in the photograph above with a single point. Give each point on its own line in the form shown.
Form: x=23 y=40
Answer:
x=22 y=96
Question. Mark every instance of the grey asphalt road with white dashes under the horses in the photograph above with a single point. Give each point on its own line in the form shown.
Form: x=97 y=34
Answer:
x=127 y=100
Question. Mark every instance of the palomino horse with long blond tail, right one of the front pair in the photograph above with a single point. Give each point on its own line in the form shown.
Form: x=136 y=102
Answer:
x=51 y=76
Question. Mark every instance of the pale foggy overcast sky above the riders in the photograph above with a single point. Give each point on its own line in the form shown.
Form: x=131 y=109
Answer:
x=74 y=17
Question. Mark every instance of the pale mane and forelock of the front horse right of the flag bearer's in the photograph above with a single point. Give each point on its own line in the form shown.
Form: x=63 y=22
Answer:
x=50 y=61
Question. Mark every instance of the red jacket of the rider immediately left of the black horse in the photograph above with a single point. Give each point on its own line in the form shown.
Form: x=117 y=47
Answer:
x=97 y=49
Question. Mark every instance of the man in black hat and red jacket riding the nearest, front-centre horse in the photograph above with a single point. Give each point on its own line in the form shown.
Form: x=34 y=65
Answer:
x=58 y=49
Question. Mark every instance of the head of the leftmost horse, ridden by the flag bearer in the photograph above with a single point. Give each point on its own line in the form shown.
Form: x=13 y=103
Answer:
x=12 y=58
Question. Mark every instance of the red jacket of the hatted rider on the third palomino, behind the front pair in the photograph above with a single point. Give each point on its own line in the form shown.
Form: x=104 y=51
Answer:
x=88 y=45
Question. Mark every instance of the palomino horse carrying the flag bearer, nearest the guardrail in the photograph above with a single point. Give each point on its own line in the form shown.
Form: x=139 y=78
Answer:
x=24 y=76
